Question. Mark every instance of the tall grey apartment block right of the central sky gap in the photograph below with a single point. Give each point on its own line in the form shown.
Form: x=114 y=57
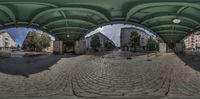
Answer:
x=126 y=34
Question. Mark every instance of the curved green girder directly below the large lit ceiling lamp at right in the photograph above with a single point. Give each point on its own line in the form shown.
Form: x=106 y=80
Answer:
x=171 y=25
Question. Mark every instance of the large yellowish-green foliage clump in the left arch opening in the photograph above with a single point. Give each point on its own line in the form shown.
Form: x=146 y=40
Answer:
x=35 y=42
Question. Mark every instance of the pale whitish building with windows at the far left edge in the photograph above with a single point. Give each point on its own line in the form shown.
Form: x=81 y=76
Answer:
x=6 y=41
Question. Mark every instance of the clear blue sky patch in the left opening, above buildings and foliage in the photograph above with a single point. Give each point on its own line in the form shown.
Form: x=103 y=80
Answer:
x=19 y=34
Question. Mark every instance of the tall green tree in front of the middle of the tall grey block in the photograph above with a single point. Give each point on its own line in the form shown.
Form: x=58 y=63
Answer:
x=134 y=40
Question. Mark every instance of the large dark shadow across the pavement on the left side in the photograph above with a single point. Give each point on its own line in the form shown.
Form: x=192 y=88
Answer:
x=26 y=66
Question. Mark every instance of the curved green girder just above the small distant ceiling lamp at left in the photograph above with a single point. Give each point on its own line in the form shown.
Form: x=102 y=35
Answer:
x=67 y=28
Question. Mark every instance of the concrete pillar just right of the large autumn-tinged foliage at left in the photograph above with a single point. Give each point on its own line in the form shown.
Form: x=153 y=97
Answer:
x=58 y=47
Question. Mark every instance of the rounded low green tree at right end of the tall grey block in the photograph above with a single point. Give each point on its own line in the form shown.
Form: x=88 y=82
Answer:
x=152 y=44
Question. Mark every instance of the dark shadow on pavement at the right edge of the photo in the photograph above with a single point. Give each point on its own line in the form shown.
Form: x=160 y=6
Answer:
x=191 y=60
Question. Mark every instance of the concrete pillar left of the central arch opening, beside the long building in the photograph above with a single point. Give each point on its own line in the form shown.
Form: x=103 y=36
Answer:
x=80 y=47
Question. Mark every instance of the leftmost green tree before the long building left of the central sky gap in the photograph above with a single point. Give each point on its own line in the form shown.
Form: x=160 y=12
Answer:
x=95 y=42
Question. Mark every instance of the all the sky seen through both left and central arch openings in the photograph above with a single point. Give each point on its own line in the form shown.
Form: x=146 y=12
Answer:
x=111 y=31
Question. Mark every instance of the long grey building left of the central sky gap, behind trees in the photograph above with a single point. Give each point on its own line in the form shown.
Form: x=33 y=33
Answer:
x=103 y=40
